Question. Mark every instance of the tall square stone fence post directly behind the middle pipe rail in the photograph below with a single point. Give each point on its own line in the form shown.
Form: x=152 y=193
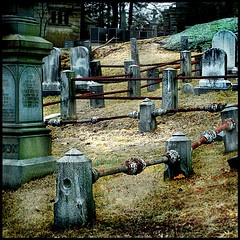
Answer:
x=169 y=89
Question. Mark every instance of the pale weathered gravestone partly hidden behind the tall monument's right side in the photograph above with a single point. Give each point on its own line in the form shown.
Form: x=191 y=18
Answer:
x=51 y=73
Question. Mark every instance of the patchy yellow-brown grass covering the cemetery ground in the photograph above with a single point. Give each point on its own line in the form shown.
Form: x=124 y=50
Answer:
x=205 y=205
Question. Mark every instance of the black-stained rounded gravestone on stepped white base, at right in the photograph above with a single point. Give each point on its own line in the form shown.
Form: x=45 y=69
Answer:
x=214 y=63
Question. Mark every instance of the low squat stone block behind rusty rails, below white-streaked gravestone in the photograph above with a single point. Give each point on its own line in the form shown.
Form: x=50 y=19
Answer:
x=99 y=100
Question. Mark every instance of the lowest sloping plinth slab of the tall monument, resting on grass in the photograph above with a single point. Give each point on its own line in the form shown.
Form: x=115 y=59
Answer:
x=17 y=172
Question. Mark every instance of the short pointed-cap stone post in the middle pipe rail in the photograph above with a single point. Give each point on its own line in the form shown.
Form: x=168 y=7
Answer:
x=147 y=122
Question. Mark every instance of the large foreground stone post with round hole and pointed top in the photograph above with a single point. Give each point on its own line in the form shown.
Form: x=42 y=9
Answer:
x=74 y=204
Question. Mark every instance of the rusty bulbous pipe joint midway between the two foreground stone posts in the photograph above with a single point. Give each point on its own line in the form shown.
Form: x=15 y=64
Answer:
x=135 y=166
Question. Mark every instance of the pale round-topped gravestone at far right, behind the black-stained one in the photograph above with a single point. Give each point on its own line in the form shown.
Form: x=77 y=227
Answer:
x=227 y=41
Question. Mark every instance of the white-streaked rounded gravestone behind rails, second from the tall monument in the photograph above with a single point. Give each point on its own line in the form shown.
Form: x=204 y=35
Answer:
x=80 y=65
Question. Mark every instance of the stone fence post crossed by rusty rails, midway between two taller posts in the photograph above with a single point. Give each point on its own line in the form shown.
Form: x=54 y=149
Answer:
x=134 y=85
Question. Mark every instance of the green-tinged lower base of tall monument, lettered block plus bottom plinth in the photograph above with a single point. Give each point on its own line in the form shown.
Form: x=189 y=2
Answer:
x=26 y=153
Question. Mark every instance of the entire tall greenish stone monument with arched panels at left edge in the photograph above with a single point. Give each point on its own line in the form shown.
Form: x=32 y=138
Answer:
x=26 y=142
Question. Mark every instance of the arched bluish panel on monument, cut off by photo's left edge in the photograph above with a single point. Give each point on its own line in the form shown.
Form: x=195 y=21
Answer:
x=8 y=96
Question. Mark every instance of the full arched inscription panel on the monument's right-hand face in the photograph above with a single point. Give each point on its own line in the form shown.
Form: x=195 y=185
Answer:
x=30 y=100
